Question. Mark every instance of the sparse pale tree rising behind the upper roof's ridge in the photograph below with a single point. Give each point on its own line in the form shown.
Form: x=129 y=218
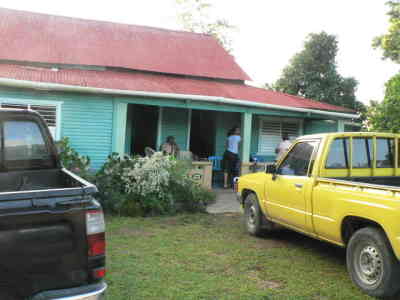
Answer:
x=195 y=16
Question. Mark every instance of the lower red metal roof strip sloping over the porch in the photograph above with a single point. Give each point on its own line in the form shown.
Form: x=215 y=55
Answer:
x=139 y=81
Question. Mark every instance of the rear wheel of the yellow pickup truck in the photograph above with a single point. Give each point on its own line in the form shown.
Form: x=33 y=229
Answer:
x=371 y=263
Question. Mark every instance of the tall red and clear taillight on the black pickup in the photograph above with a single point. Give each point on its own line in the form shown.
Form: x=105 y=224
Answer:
x=95 y=228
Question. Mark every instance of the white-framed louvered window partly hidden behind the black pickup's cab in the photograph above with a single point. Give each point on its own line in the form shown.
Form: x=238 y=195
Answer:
x=48 y=112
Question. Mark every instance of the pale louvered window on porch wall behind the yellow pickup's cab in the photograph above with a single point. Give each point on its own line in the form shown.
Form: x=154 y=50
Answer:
x=271 y=134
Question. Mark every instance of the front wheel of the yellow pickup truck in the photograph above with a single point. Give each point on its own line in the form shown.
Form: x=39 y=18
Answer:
x=256 y=223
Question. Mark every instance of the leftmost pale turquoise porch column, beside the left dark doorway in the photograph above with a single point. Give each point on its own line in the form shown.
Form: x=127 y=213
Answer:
x=119 y=127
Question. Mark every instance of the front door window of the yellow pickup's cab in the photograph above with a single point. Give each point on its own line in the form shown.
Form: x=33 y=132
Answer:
x=298 y=160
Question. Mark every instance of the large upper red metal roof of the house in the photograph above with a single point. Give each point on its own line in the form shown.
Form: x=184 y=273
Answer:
x=34 y=37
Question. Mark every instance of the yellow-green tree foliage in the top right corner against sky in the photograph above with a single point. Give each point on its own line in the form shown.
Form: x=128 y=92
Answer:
x=390 y=42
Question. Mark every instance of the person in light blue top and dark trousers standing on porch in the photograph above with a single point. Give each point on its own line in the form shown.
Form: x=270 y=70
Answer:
x=231 y=156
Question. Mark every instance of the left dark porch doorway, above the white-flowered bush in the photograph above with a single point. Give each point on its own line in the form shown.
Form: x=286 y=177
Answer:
x=144 y=120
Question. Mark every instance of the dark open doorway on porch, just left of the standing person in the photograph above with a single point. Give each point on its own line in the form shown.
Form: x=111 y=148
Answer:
x=202 y=133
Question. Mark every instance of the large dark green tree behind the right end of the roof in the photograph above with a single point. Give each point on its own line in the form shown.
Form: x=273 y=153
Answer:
x=312 y=73
